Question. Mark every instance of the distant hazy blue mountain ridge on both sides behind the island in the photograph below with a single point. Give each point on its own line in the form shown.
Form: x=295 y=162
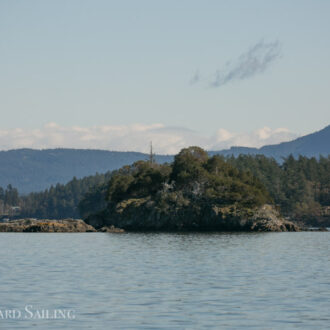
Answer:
x=35 y=170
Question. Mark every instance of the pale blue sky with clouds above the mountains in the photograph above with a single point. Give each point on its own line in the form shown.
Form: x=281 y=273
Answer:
x=117 y=74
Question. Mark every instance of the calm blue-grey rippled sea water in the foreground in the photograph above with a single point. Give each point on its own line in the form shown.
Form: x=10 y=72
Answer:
x=165 y=281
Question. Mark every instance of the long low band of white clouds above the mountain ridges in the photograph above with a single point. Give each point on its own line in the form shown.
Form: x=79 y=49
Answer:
x=166 y=139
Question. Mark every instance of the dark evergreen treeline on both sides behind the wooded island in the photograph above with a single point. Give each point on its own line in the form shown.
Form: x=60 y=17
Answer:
x=299 y=187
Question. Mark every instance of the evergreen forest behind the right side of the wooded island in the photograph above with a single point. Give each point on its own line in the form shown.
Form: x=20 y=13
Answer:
x=300 y=187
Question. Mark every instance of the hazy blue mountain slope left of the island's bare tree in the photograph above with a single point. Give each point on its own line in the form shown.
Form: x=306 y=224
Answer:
x=35 y=170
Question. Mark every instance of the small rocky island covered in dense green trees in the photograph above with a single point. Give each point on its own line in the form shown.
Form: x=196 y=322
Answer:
x=194 y=193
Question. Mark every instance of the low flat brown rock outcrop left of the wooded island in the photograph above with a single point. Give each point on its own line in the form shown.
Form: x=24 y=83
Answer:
x=46 y=226
